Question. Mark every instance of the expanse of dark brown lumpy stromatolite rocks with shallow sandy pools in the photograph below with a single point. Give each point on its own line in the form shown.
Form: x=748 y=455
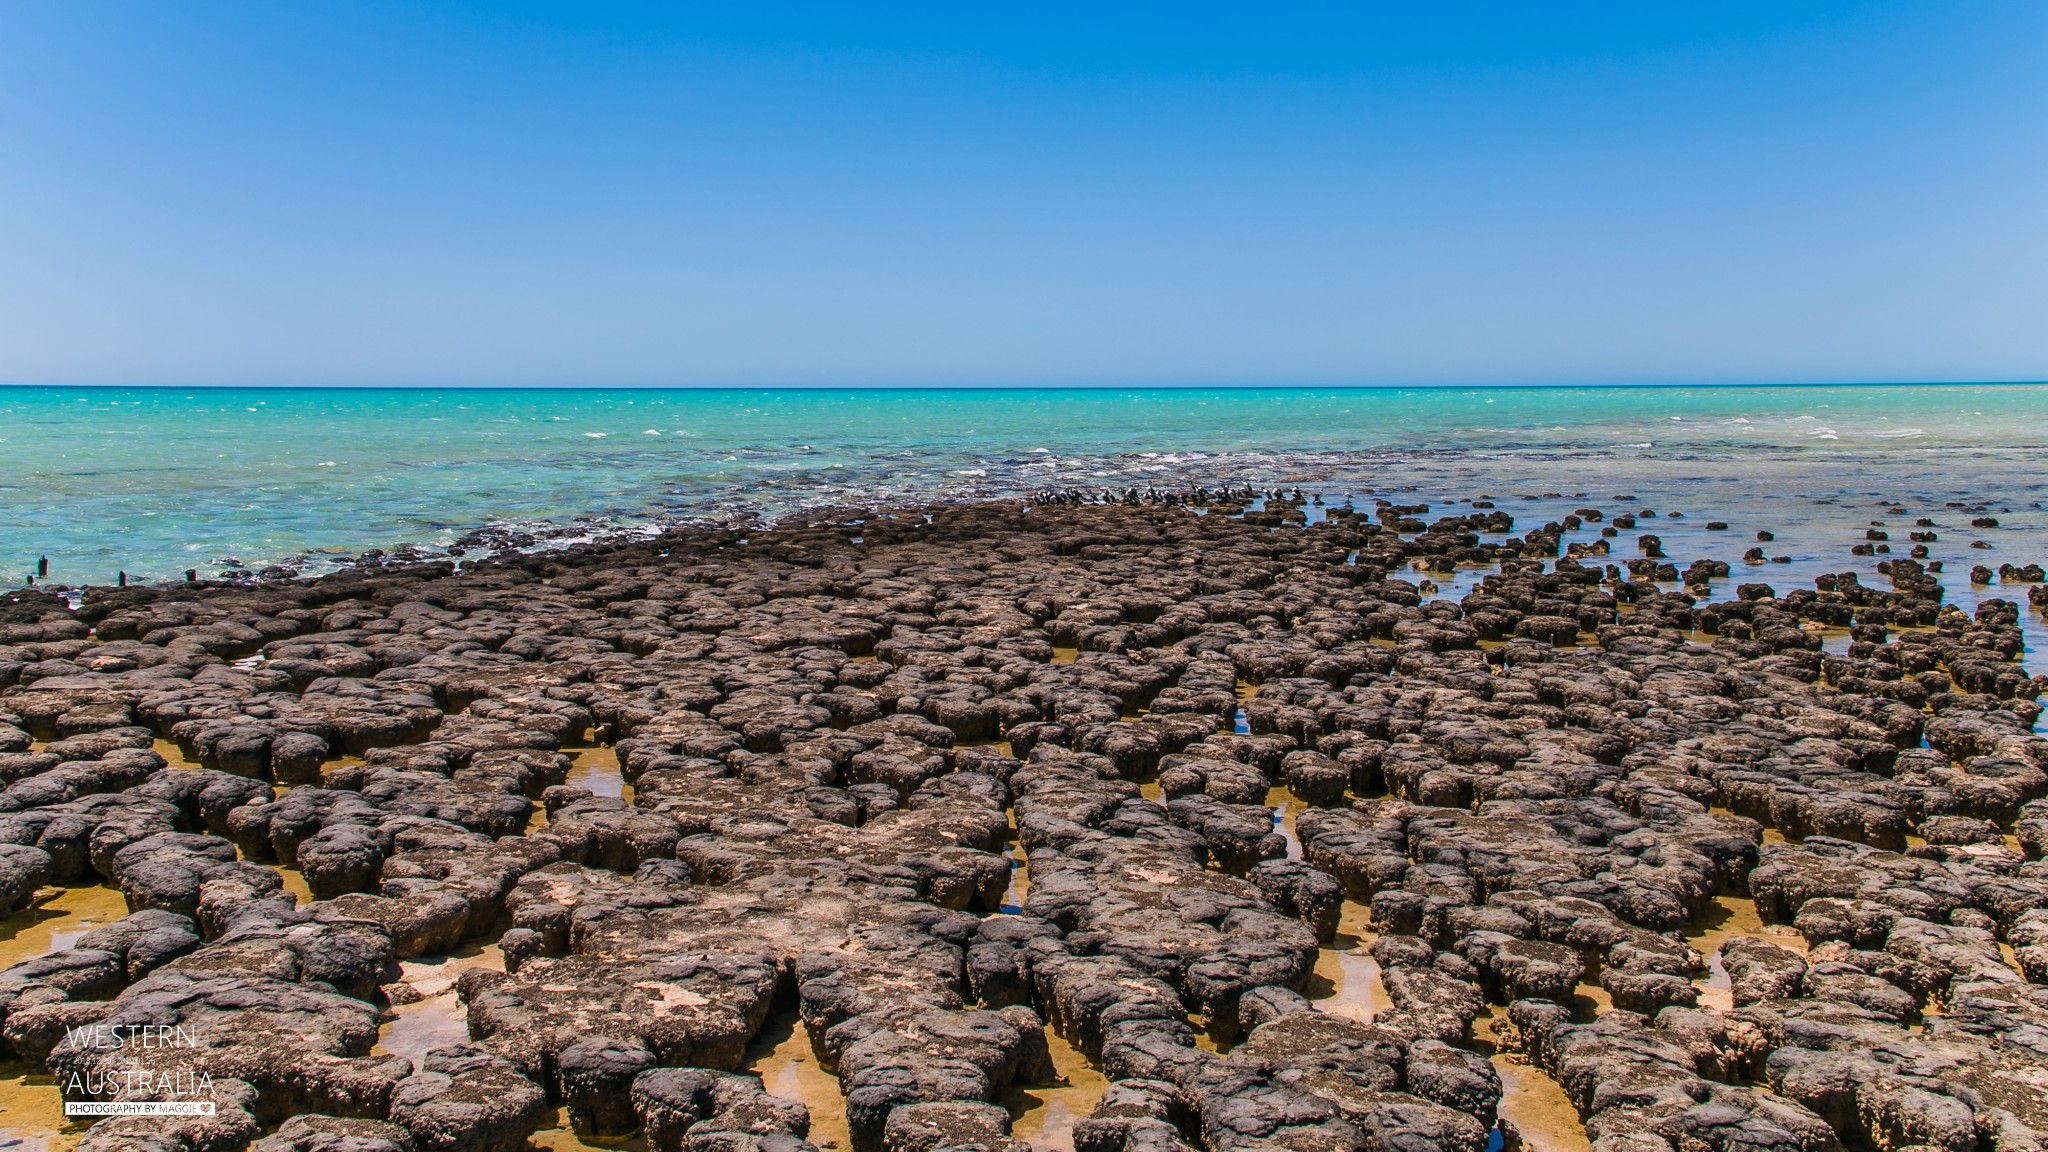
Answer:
x=1105 y=827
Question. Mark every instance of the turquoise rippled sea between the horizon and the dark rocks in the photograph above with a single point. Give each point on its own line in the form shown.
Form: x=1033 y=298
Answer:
x=163 y=481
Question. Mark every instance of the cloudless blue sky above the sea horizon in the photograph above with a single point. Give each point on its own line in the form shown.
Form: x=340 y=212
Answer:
x=1023 y=194
